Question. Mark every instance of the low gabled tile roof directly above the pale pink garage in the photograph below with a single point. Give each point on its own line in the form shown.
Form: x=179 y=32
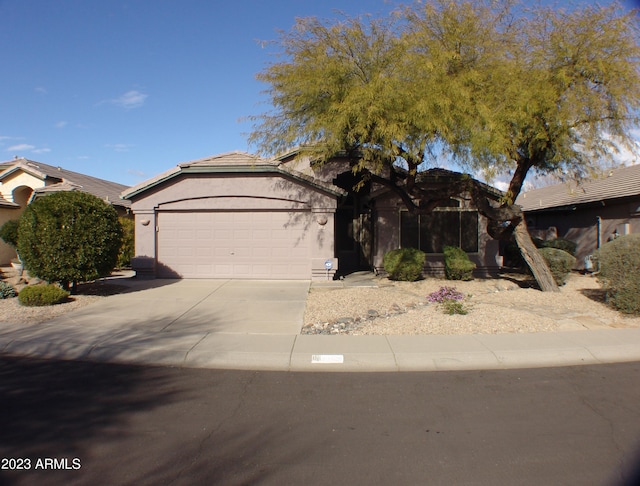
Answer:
x=229 y=162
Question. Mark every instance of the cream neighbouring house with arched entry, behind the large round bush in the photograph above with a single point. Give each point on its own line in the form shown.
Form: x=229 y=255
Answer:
x=23 y=180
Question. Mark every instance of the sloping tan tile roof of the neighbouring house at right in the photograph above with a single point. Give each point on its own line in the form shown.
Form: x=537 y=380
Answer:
x=614 y=184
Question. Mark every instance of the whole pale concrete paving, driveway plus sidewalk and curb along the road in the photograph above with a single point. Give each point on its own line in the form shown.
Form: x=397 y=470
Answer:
x=231 y=324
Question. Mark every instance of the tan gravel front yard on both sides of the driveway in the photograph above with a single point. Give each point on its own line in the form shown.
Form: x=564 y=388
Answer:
x=502 y=305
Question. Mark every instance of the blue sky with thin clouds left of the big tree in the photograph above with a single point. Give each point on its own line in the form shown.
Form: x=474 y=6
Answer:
x=126 y=89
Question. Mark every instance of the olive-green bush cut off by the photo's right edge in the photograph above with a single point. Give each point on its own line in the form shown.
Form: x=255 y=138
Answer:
x=619 y=262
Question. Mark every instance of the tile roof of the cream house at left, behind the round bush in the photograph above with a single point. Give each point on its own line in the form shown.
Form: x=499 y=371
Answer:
x=59 y=179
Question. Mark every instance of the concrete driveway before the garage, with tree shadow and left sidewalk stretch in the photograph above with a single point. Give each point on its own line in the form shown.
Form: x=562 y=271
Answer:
x=174 y=321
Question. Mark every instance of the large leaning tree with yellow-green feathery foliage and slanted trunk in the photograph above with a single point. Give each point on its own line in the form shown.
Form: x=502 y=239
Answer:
x=499 y=88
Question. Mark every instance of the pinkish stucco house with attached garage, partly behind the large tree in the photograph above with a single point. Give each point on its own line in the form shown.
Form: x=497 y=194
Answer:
x=237 y=215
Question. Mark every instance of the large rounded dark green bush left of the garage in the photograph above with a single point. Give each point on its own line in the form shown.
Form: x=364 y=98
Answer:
x=69 y=237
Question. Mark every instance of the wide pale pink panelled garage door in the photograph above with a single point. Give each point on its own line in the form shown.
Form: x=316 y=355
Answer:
x=270 y=245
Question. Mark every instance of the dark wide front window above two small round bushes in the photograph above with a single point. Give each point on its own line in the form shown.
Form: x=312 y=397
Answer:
x=447 y=225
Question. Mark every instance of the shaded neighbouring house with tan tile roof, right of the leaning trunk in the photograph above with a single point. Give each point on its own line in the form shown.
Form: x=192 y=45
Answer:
x=590 y=213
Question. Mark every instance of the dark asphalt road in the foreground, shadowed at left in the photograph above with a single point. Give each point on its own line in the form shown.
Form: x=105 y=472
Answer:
x=76 y=423
